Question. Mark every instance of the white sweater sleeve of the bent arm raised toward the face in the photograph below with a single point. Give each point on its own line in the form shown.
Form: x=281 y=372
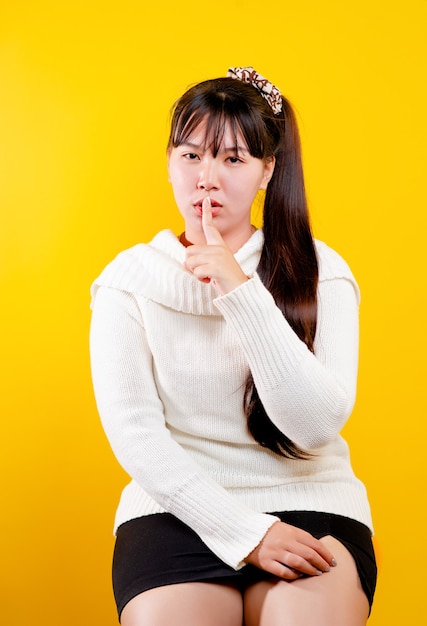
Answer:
x=307 y=396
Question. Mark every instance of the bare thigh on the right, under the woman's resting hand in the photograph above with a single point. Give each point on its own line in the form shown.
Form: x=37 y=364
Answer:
x=335 y=598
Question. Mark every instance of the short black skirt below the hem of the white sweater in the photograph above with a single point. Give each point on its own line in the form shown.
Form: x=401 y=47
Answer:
x=157 y=550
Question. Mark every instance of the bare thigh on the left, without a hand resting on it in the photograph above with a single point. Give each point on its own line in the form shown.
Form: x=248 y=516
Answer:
x=185 y=604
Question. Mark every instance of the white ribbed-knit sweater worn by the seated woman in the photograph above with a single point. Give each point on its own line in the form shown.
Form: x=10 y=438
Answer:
x=169 y=361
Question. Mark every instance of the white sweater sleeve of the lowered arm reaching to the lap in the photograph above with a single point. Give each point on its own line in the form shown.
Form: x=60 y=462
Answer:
x=132 y=416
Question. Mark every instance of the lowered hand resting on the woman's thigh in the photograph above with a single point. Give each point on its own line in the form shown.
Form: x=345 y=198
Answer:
x=289 y=552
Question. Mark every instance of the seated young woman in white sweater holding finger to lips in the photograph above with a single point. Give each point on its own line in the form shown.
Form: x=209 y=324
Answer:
x=224 y=366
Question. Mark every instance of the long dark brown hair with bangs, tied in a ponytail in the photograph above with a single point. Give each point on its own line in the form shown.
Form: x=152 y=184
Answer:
x=288 y=263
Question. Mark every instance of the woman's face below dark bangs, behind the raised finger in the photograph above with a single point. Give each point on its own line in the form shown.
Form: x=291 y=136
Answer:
x=230 y=178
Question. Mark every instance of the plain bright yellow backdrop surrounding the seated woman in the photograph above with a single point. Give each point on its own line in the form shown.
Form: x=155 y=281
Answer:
x=85 y=92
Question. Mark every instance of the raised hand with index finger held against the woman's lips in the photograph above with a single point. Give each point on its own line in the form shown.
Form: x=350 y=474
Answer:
x=214 y=262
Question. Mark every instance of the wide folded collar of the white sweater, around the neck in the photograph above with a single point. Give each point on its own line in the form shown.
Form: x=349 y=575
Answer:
x=155 y=271
